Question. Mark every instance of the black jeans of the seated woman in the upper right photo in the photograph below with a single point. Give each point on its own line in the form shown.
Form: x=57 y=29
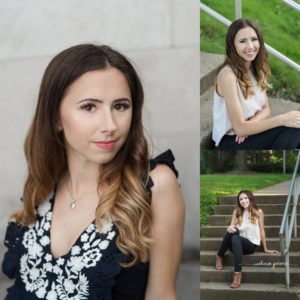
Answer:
x=279 y=138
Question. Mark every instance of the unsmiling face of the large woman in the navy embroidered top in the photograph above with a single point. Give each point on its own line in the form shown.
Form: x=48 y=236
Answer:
x=95 y=116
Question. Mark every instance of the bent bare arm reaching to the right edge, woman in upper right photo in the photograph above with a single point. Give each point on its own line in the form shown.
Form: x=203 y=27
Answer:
x=228 y=88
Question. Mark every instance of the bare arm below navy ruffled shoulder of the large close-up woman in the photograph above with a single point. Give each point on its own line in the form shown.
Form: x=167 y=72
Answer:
x=167 y=232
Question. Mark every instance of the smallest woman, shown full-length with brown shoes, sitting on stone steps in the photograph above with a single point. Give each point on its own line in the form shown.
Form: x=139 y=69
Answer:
x=245 y=232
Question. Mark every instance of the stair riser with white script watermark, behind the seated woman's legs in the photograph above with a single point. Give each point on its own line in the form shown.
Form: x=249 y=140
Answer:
x=252 y=260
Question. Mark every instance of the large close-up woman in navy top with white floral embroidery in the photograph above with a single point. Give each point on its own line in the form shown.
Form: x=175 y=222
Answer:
x=99 y=218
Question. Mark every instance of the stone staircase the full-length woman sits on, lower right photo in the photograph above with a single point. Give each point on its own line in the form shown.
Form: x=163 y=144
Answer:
x=263 y=273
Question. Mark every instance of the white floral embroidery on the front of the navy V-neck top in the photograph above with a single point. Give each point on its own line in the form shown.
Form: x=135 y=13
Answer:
x=70 y=283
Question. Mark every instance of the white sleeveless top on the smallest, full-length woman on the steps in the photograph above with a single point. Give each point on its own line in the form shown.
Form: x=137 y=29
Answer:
x=249 y=230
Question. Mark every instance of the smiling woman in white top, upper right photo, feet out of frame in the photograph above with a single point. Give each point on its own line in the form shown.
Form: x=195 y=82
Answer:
x=241 y=109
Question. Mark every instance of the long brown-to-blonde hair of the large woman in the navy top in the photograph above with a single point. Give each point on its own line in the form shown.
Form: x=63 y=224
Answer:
x=122 y=182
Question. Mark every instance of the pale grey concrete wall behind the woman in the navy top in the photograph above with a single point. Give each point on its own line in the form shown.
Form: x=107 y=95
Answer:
x=161 y=37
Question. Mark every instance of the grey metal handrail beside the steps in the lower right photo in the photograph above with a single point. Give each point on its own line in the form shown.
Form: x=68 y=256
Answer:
x=286 y=227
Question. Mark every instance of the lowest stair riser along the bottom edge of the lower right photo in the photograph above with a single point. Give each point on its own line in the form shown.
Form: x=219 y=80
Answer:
x=239 y=294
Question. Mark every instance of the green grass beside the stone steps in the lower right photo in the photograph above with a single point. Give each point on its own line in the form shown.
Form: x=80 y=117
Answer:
x=214 y=186
